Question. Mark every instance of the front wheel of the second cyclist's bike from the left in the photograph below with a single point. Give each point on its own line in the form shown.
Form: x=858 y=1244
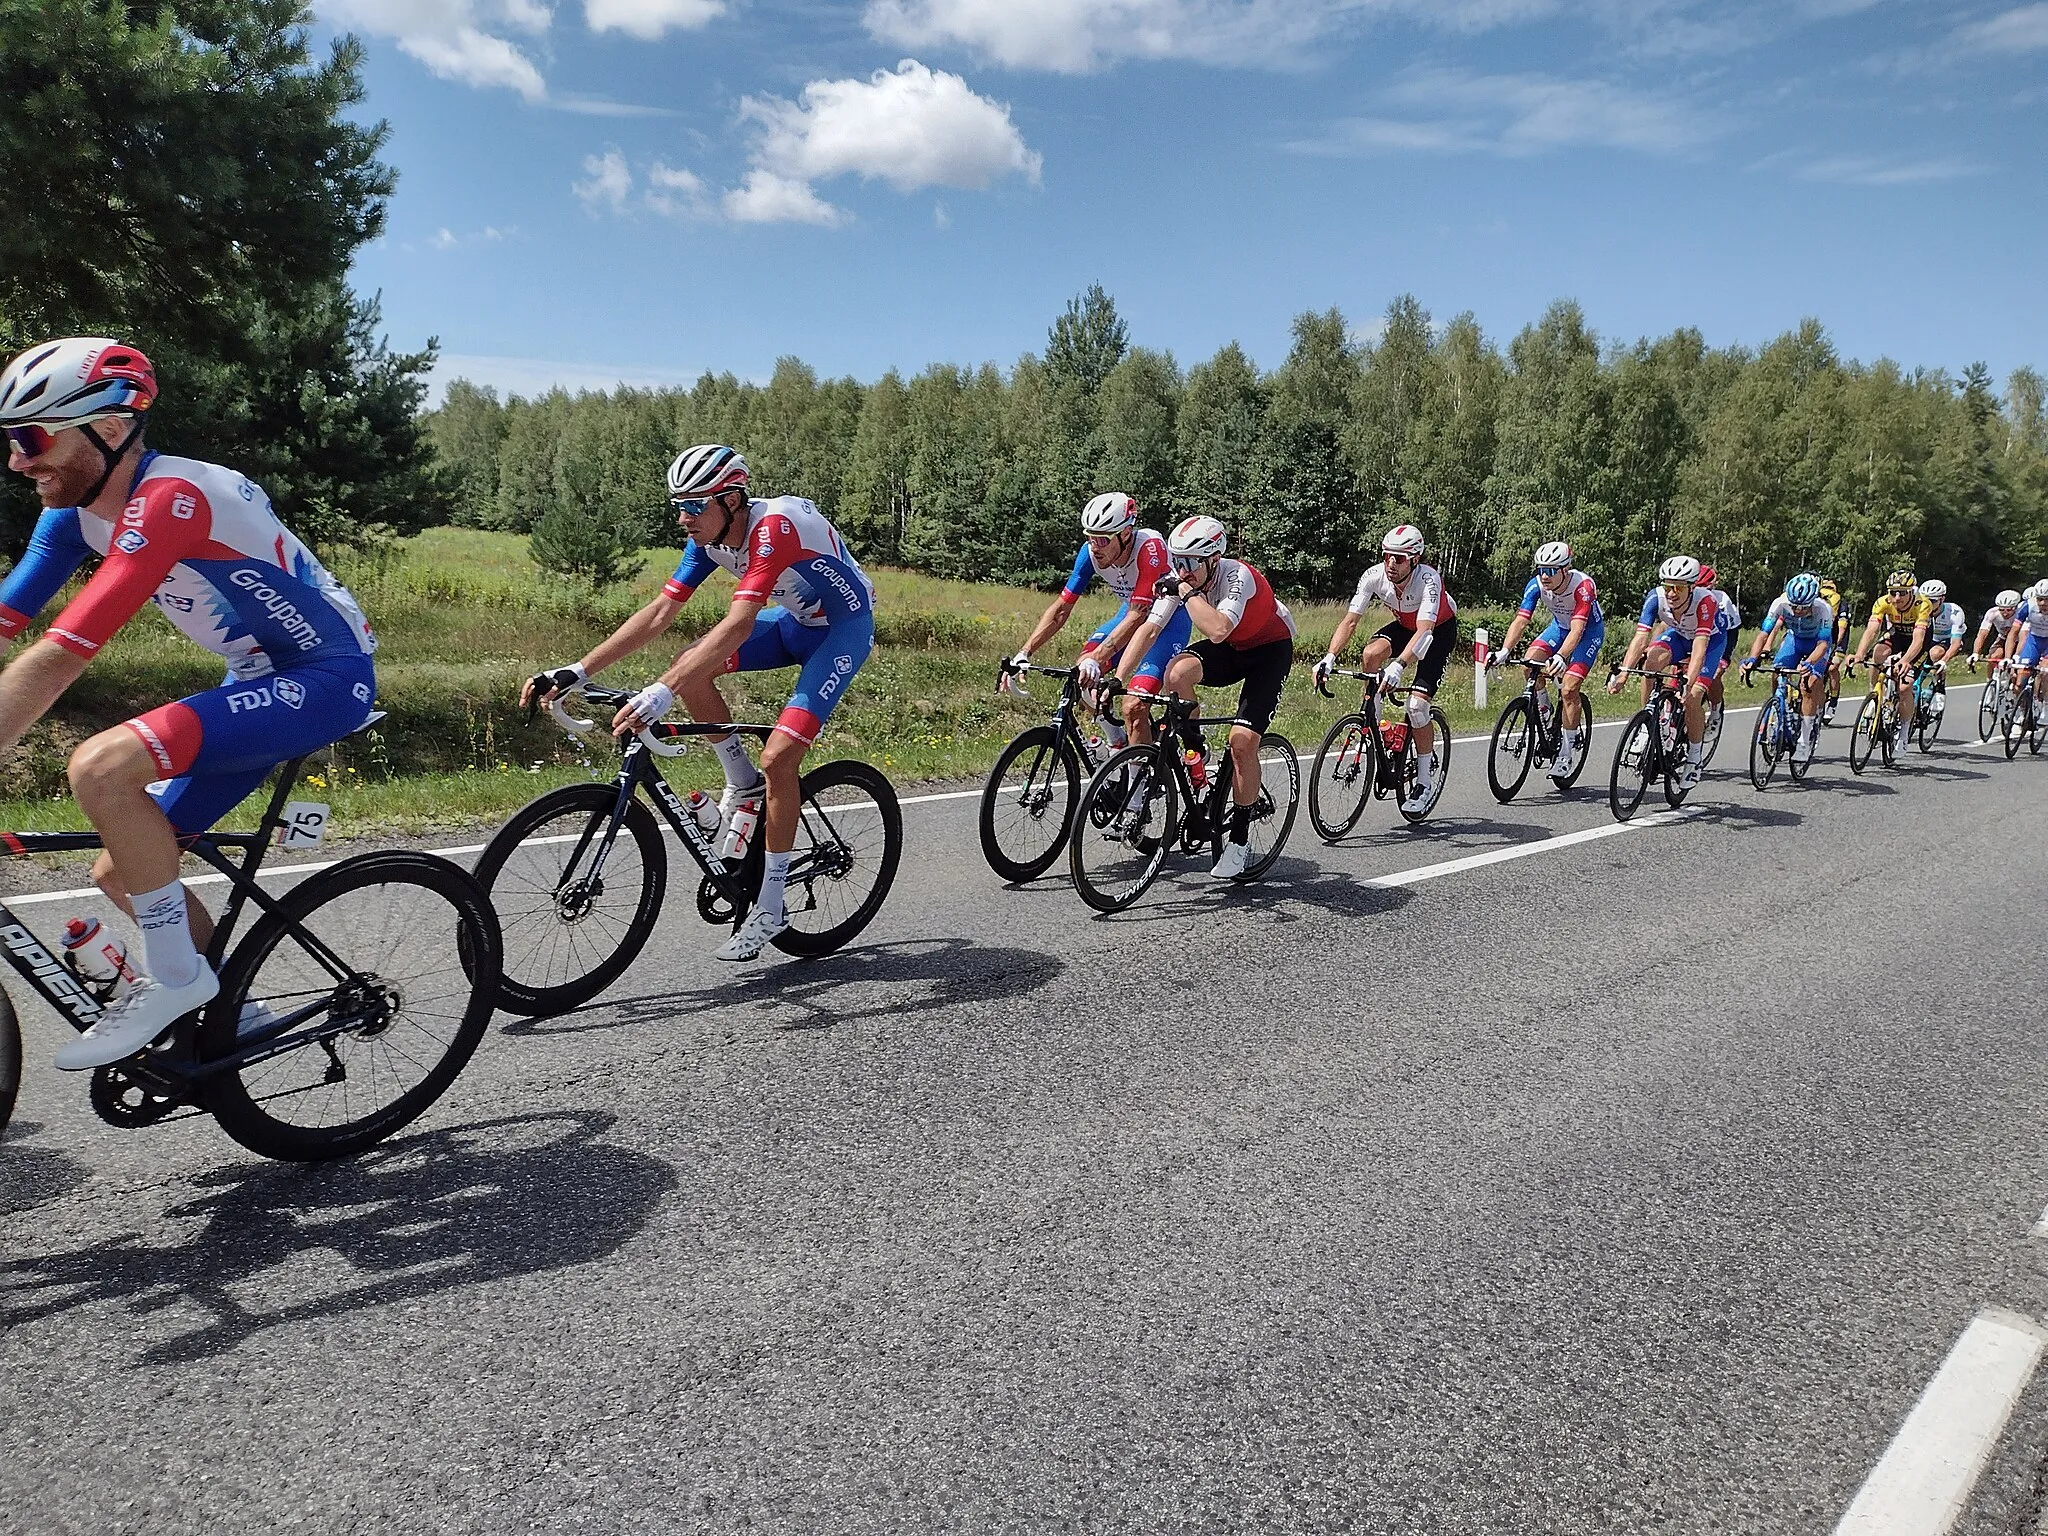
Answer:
x=568 y=933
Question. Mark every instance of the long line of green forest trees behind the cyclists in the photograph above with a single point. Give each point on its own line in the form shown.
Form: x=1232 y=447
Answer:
x=1760 y=462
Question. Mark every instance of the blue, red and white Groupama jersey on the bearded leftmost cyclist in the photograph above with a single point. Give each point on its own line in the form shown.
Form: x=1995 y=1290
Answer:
x=204 y=544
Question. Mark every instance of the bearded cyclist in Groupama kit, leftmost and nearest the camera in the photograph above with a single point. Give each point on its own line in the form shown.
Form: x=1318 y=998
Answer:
x=204 y=544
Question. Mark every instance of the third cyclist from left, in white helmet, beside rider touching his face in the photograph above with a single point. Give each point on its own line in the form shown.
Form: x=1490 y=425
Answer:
x=1132 y=562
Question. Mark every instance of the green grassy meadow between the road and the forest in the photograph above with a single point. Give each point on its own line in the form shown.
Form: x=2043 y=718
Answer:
x=464 y=617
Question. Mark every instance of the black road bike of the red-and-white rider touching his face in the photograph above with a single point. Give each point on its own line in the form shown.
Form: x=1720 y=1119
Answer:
x=1146 y=800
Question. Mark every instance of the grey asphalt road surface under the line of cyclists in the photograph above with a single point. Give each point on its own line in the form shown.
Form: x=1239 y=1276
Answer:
x=1635 y=1185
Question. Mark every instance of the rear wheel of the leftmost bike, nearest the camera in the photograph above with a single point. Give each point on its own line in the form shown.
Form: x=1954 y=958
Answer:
x=368 y=953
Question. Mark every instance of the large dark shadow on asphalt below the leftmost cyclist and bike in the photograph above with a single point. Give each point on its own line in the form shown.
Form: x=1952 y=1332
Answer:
x=445 y=1209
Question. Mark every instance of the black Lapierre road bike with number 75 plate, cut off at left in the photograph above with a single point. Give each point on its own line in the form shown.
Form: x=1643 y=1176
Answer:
x=345 y=1013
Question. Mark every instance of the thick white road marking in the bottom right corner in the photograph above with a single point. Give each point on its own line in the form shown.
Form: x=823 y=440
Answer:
x=1928 y=1474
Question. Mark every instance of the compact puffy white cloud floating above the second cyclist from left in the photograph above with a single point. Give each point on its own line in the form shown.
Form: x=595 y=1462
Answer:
x=910 y=128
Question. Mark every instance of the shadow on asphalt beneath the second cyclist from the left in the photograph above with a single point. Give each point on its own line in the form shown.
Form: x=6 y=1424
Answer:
x=951 y=970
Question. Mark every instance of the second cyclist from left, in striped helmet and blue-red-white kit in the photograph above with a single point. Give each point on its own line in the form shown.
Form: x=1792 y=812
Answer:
x=802 y=601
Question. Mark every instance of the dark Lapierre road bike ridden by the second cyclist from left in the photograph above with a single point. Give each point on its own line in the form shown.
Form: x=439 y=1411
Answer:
x=579 y=900
